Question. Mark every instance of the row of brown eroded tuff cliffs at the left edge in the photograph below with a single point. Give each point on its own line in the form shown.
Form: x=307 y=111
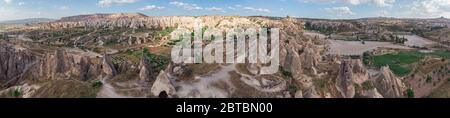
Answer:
x=21 y=64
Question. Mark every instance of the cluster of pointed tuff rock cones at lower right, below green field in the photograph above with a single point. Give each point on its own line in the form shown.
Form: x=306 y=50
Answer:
x=385 y=83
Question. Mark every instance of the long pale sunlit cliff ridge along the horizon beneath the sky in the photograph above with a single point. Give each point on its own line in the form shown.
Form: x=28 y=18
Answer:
x=141 y=21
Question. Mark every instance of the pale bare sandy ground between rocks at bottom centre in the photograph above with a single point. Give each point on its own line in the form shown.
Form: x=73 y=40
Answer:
x=219 y=84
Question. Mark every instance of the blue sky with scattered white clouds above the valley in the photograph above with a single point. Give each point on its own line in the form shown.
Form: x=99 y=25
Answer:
x=330 y=9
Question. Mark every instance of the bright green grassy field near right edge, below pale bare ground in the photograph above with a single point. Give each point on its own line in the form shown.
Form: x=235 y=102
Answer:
x=401 y=63
